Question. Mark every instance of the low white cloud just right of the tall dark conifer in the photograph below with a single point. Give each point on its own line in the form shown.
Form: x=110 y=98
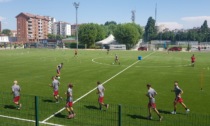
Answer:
x=170 y=25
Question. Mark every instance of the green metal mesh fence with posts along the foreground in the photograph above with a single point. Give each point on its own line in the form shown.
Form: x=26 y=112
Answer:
x=44 y=111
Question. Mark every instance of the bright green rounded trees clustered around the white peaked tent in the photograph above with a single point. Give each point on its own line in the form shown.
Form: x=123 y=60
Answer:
x=128 y=34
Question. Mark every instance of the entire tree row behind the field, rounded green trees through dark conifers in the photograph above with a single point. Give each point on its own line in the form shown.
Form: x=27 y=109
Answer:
x=130 y=33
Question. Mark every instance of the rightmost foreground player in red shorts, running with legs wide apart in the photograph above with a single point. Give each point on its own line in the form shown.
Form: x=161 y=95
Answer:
x=178 y=92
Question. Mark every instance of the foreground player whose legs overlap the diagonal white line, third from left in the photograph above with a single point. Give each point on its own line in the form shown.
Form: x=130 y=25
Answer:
x=69 y=101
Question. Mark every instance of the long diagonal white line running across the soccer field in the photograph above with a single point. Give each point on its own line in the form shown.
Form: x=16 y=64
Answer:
x=96 y=87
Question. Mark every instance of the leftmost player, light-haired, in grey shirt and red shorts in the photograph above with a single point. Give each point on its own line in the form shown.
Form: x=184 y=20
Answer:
x=16 y=93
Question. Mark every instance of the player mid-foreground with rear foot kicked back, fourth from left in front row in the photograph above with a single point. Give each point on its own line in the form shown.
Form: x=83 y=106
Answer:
x=100 y=92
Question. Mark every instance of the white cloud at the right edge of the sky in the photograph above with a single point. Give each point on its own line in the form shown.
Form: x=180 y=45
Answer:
x=190 y=22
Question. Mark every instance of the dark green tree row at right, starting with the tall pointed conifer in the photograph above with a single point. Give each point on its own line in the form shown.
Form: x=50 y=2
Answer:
x=200 y=34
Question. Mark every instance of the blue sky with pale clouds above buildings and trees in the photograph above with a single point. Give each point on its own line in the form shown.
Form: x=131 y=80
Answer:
x=174 y=14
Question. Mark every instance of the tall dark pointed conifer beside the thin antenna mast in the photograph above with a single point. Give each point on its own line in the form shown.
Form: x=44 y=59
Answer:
x=150 y=30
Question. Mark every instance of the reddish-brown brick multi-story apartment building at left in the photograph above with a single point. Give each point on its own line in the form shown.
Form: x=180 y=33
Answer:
x=31 y=28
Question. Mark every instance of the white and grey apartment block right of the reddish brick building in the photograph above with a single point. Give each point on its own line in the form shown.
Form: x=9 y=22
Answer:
x=62 y=28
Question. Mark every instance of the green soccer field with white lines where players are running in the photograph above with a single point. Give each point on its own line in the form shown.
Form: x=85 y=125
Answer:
x=125 y=84
